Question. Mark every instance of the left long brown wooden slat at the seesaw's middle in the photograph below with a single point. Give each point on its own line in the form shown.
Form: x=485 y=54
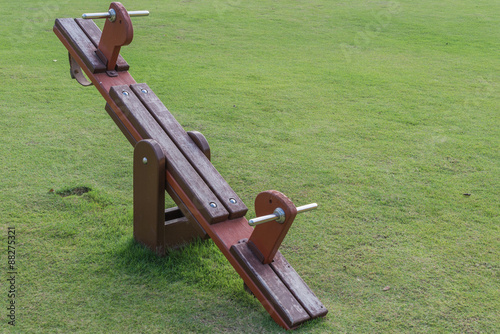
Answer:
x=179 y=167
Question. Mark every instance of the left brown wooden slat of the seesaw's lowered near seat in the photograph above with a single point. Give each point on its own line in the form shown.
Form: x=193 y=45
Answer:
x=271 y=286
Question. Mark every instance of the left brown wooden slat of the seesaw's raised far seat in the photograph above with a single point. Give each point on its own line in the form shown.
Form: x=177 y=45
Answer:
x=80 y=42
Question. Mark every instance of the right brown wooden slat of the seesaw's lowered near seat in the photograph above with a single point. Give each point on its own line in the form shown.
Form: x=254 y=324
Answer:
x=298 y=287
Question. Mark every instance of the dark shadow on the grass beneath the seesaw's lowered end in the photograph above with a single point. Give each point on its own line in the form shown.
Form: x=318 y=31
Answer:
x=200 y=265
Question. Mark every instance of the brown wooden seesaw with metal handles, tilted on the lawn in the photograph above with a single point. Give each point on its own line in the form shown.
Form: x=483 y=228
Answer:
x=167 y=158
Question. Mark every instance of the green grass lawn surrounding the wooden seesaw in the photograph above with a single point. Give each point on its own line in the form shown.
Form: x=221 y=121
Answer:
x=385 y=113
